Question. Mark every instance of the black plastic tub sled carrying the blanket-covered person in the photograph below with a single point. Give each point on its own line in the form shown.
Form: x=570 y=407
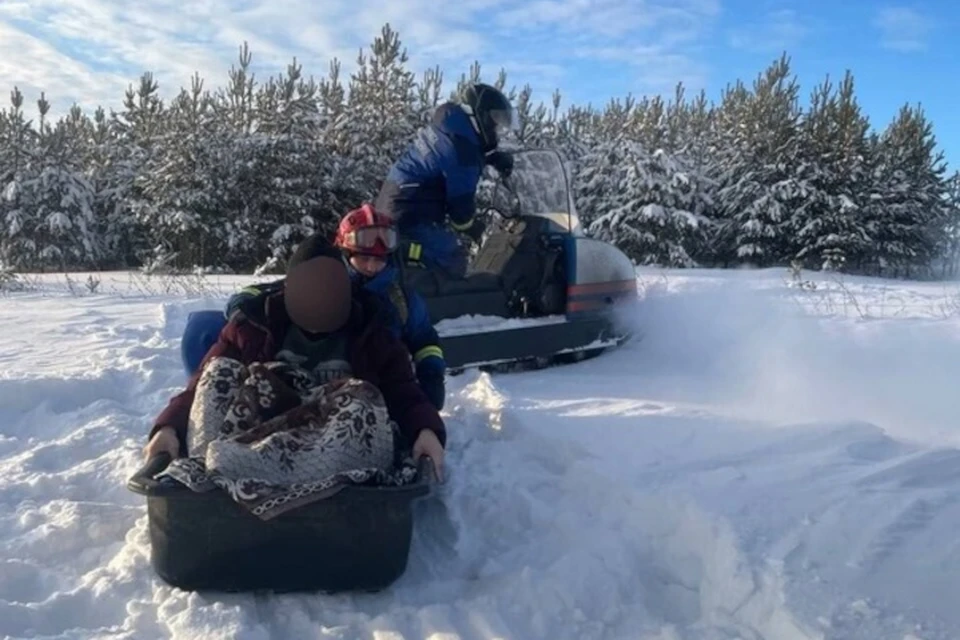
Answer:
x=356 y=540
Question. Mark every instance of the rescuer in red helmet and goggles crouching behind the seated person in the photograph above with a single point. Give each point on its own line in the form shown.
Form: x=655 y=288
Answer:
x=368 y=240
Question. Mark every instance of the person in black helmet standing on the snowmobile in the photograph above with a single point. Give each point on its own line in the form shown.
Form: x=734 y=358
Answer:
x=437 y=175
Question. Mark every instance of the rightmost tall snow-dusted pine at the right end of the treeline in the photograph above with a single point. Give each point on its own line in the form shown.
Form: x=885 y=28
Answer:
x=906 y=214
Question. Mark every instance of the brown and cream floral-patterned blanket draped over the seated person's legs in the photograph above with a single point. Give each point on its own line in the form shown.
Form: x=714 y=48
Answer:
x=274 y=439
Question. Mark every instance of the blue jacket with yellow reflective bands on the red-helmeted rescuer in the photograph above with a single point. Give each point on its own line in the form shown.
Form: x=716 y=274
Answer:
x=406 y=316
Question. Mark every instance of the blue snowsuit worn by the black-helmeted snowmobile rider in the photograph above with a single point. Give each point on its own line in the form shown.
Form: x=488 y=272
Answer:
x=436 y=177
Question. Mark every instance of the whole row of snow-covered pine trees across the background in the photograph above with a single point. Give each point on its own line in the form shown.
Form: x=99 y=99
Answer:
x=278 y=160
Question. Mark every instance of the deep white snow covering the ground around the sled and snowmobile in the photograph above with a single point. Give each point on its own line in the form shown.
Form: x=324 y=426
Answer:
x=769 y=461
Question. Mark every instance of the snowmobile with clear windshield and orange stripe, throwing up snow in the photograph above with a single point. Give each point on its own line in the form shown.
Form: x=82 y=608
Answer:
x=544 y=293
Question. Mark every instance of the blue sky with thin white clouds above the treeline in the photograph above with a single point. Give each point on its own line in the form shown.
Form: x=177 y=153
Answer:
x=88 y=51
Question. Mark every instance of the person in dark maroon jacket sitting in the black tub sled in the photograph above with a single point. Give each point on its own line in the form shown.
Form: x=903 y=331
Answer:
x=321 y=322
